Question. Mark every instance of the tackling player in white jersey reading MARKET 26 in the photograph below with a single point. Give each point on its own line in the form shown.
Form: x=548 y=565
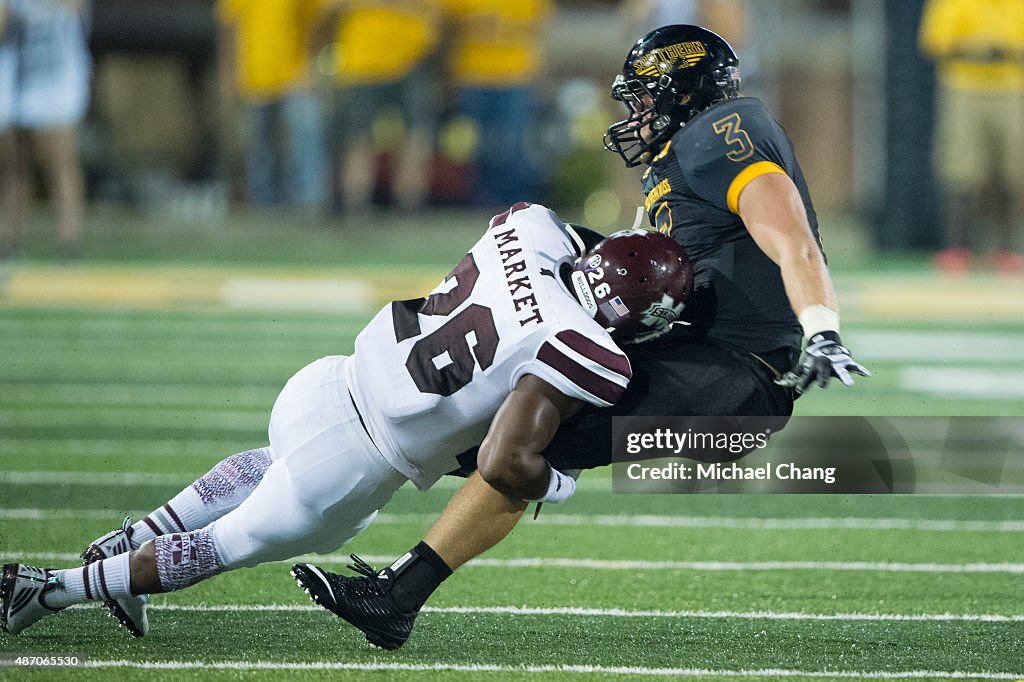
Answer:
x=522 y=334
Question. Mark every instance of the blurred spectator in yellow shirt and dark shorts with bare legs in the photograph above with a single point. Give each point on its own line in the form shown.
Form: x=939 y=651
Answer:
x=385 y=67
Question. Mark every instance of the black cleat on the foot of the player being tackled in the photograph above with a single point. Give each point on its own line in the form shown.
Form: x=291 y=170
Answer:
x=366 y=602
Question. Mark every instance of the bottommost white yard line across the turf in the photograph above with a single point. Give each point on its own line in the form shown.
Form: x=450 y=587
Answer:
x=581 y=670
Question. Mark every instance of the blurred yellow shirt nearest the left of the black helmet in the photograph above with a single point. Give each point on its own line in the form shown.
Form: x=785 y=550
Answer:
x=498 y=44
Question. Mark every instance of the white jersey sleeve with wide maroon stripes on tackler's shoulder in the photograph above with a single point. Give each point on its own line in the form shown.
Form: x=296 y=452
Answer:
x=588 y=369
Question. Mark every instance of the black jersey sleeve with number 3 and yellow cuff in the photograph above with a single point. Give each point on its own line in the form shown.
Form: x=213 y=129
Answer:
x=730 y=149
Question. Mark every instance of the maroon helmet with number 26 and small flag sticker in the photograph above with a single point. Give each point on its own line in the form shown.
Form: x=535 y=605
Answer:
x=635 y=283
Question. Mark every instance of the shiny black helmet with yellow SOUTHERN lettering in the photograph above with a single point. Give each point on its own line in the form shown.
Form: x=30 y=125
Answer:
x=670 y=75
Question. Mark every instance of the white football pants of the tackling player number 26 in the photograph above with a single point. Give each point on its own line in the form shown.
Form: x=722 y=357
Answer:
x=326 y=483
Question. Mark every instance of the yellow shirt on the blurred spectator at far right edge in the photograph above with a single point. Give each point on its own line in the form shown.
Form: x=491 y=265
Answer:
x=960 y=33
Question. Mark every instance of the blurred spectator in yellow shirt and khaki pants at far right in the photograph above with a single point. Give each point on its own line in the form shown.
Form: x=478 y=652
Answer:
x=979 y=144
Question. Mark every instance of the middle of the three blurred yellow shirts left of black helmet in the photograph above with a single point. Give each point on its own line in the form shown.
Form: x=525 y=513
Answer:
x=382 y=41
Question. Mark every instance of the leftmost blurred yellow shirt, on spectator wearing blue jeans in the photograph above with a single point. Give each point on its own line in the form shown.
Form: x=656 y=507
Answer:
x=272 y=50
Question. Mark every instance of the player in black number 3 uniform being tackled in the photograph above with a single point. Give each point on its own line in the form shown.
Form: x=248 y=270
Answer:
x=722 y=180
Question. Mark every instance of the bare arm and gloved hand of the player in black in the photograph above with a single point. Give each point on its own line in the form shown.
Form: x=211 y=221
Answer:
x=772 y=208
